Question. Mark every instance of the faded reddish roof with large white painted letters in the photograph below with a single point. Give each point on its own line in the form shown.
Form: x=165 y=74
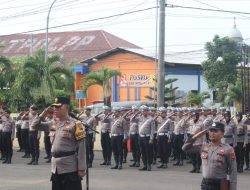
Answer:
x=77 y=46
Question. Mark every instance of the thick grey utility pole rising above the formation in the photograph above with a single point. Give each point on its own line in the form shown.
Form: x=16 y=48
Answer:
x=161 y=56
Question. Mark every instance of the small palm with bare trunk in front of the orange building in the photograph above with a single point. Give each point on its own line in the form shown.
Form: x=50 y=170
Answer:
x=101 y=78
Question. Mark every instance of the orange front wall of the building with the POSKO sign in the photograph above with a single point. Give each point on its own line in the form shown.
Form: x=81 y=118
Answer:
x=128 y=64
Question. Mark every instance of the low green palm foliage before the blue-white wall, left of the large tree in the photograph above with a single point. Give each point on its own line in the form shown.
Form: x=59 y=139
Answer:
x=193 y=99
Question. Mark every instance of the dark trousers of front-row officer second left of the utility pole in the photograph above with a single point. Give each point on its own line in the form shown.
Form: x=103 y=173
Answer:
x=135 y=149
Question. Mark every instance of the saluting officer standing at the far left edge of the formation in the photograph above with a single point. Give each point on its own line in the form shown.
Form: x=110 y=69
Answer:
x=8 y=134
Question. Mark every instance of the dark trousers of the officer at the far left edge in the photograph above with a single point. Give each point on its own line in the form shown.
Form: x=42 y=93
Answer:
x=7 y=145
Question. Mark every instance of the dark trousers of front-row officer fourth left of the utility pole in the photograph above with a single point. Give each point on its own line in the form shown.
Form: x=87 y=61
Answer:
x=106 y=146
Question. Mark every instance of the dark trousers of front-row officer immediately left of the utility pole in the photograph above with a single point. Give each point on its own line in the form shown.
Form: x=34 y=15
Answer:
x=146 y=150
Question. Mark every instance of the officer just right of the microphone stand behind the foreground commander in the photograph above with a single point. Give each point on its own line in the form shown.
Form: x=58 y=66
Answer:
x=91 y=123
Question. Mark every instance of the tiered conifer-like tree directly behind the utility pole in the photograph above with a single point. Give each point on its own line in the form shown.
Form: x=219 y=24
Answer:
x=169 y=93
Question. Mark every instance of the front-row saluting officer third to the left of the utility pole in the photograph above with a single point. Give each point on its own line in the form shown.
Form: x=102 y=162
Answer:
x=118 y=136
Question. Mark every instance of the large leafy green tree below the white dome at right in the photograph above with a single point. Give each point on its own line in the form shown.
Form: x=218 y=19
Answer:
x=220 y=73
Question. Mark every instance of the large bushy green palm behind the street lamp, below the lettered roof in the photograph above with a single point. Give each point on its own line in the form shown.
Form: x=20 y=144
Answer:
x=40 y=79
